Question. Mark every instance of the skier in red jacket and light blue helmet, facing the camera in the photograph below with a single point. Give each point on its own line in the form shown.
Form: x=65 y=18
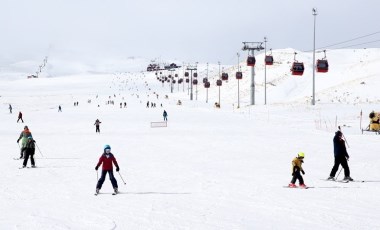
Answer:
x=107 y=159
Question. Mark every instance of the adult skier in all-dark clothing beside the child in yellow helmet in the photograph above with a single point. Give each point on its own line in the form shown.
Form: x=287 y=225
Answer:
x=341 y=157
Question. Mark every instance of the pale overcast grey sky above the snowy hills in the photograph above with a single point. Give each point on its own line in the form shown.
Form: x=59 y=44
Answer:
x=193 y=30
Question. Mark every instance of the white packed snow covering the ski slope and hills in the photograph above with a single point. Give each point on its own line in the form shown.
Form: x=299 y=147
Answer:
x=209 y=168
